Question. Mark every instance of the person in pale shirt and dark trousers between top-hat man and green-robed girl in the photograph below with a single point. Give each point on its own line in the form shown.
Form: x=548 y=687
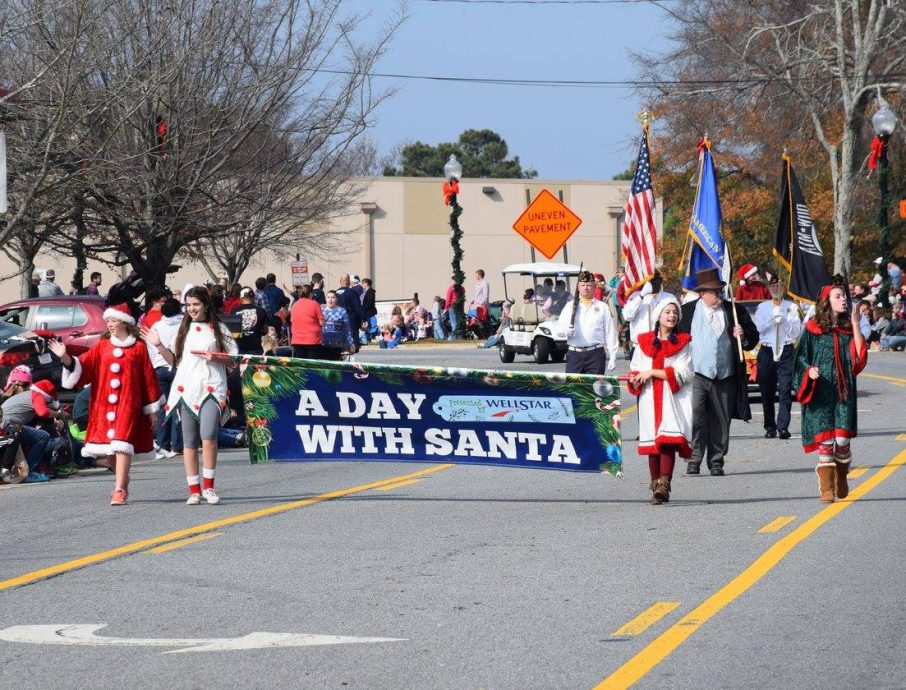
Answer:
x=779 y=324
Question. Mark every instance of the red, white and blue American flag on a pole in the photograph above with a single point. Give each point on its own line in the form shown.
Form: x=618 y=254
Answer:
x=639 y=241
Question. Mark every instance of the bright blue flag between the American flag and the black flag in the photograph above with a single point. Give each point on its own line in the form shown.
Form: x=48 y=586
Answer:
x=708 y=249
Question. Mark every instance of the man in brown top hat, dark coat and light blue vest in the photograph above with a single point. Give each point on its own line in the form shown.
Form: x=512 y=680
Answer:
x=719 y=388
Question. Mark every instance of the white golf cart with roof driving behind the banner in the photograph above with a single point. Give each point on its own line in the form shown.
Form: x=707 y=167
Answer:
x=532 y=332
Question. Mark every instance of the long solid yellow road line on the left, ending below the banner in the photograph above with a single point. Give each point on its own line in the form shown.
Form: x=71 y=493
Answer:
x=183 y=534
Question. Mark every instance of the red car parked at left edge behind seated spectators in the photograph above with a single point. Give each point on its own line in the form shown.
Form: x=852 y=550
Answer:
x=77 y=319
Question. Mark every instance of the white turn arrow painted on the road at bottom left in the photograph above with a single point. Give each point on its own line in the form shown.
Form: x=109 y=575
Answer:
x=84 y=635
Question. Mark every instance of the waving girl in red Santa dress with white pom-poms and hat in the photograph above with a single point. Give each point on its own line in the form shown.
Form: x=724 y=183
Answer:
x=125 y=396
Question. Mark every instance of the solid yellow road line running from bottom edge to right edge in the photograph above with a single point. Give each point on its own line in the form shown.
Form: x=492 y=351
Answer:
x=668 y=641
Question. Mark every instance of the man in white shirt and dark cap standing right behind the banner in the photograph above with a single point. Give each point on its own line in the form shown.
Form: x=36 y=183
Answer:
x=591 y=337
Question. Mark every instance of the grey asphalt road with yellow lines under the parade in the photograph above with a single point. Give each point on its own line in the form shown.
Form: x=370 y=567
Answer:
x=480 y=577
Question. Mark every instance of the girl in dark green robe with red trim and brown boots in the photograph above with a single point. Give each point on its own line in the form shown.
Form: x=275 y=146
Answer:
x=830 y=354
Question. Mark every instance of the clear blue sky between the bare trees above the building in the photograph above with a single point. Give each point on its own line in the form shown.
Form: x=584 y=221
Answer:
x=569 y=133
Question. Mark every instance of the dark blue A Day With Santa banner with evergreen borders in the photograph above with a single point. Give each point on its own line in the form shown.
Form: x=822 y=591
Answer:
x=314 y=410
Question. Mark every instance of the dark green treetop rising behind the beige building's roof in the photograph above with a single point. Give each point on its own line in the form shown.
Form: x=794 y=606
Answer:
x=482 y=153
